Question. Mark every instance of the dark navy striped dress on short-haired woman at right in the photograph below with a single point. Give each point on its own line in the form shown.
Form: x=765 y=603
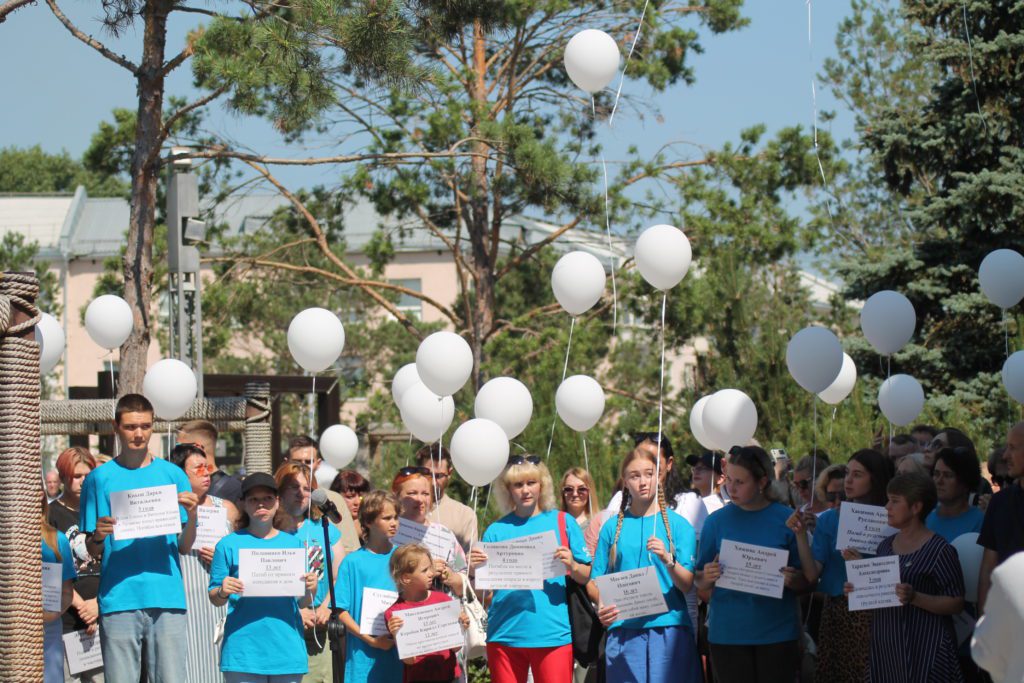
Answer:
x=909 y=645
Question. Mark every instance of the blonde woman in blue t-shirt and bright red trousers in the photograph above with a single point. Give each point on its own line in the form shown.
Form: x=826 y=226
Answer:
x=530 y=630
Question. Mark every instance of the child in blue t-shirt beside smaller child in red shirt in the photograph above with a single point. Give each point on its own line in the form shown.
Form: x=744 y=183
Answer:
x=369 y=657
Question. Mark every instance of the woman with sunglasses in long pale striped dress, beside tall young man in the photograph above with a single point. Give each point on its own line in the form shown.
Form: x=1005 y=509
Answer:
x=203 y=617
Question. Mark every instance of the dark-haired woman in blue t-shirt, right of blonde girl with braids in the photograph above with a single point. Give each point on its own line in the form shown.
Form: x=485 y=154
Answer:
x=754 y=638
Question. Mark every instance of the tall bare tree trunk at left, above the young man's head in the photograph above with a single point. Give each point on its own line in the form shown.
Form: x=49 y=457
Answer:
x=145 y=176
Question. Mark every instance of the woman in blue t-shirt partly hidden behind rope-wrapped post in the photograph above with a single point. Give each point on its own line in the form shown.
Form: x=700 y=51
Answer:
x=57 y=554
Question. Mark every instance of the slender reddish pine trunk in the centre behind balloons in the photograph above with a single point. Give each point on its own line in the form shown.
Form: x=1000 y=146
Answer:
x=479 y=222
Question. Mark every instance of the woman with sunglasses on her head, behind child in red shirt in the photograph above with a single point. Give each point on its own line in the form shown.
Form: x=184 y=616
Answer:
x=414 y=488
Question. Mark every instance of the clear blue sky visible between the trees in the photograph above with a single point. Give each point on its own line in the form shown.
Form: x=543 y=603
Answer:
x=60 y=90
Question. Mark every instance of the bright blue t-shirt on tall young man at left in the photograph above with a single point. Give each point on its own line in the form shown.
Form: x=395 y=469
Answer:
x=142 y=574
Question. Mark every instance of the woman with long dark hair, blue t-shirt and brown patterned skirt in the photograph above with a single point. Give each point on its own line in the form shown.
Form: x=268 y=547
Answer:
x=844 y=635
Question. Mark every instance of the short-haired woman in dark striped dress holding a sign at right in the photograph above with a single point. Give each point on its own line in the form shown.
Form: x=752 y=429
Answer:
x=917 y=643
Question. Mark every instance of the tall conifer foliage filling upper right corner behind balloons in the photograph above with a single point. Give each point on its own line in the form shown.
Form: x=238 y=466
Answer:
x=942 y=139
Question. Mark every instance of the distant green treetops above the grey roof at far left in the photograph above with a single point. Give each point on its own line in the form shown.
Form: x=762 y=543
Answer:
x=31 y=170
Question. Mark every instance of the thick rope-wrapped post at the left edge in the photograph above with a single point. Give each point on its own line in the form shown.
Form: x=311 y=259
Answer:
x=21 y=467
